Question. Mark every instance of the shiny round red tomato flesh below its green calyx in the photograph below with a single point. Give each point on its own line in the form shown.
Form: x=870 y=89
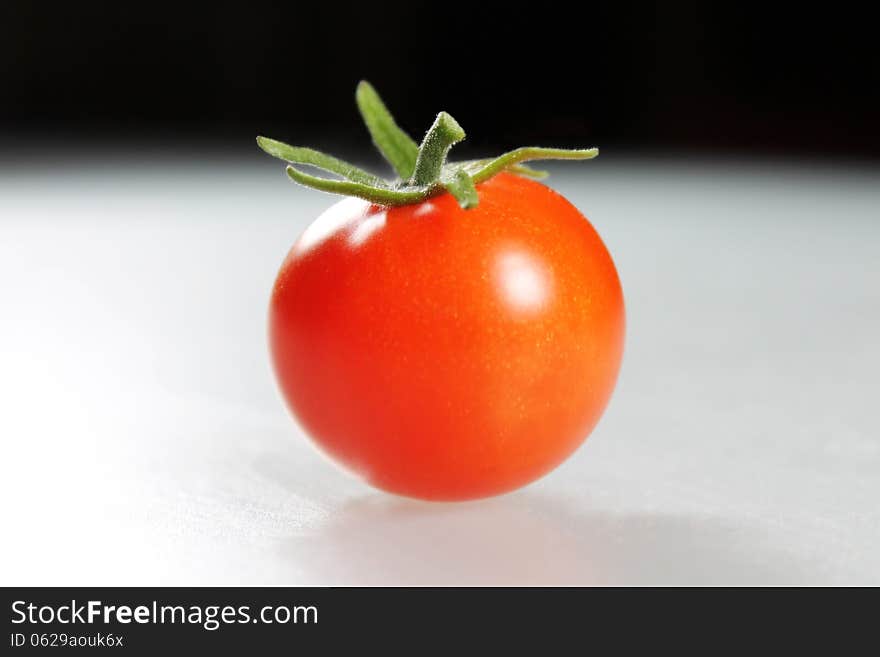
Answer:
x=449 y=354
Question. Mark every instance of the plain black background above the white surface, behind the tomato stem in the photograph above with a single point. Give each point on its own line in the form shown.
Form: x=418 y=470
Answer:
x=689 y=76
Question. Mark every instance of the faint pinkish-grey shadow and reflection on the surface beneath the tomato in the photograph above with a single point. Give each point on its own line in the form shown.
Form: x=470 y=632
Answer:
x=530 y=538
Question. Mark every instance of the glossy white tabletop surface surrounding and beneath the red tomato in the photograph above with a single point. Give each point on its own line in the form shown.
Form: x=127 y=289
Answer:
x=144 y=441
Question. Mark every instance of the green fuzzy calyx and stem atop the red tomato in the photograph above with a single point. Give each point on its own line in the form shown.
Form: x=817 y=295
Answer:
x=422 y=169
